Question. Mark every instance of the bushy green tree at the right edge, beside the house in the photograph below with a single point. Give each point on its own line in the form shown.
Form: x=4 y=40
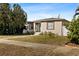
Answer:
x=74 y=29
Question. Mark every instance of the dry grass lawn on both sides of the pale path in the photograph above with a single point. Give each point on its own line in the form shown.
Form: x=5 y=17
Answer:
x=45 y=39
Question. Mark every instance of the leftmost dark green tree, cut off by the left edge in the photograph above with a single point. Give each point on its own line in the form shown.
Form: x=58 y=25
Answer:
x=4 y=18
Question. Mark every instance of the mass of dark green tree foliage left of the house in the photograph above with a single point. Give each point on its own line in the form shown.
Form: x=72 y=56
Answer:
x=12 y=20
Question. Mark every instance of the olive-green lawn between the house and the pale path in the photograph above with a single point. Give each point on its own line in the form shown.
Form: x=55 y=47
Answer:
x=57 y=40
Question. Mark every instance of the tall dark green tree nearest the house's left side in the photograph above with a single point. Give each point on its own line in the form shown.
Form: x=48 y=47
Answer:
x=19 y=18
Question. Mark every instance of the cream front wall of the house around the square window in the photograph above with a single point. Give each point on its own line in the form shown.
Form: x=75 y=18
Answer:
x=57 y=27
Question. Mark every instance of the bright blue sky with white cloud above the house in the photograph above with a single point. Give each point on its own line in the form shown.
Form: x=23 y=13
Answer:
x=36 y=11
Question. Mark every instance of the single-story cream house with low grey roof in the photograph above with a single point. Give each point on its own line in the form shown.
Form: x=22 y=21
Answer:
x=54 y=25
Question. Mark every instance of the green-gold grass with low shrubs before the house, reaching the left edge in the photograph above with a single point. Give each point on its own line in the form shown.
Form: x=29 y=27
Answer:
x=46 y=38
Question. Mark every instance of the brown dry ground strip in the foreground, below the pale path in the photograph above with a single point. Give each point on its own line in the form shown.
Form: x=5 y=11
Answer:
x=12 y=50
